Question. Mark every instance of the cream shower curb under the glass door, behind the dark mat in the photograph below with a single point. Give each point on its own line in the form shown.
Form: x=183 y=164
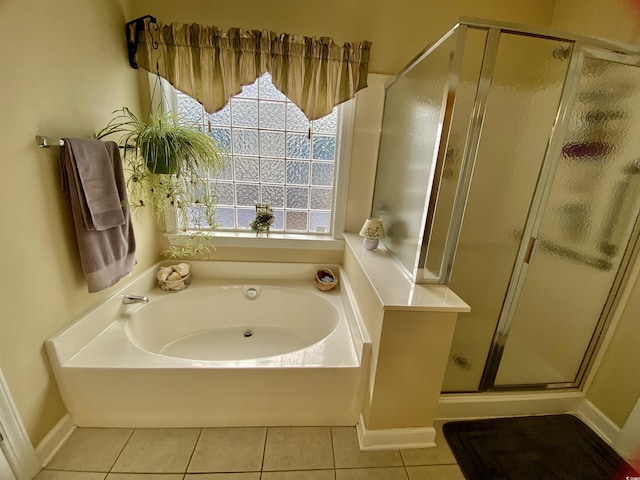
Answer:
x=487 y=405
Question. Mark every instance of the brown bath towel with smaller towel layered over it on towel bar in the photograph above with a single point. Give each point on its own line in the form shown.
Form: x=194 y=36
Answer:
x=107 y=253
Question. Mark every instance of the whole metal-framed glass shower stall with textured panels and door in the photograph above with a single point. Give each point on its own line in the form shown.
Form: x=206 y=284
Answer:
x=509 y=169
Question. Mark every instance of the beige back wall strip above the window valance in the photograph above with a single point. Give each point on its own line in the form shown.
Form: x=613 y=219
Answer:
x=399 y=30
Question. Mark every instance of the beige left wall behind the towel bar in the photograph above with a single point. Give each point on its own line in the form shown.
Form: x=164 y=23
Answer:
x=64 y=70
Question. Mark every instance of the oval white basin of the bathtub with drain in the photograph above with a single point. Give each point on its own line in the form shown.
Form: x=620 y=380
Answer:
x=226 y=323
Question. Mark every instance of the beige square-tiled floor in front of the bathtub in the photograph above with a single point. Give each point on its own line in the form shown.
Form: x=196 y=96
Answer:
x=248 y=453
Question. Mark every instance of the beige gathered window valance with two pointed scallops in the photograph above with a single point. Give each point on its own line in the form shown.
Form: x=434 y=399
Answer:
x=211 y=65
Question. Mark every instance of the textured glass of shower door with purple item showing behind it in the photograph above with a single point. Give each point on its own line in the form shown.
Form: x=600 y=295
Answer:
x=585 y=229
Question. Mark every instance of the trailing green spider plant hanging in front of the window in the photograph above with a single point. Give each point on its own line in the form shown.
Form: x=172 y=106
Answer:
x=170 y=162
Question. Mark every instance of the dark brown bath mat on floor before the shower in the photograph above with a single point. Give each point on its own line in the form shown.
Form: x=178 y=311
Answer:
x=546 y=447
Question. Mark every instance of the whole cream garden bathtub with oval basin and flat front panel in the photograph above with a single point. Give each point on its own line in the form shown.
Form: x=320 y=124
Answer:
x=242 y=346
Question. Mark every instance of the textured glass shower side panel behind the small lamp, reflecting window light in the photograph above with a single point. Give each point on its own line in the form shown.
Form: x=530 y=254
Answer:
x=408 y=142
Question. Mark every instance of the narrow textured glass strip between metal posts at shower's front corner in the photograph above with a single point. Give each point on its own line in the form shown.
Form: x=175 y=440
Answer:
x=465 y=93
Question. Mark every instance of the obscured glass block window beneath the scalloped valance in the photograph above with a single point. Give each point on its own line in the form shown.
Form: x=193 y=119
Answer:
x=276 y=157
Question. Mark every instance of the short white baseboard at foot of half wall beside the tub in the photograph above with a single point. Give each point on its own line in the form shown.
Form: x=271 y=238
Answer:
x=394 y=438
